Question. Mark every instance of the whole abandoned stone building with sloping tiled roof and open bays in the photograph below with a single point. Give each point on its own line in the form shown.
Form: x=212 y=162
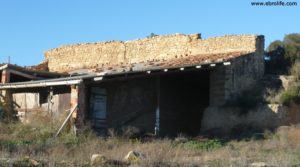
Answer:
x=161 y=85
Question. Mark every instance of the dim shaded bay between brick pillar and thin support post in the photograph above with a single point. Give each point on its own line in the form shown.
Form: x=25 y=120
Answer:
x=130 y=103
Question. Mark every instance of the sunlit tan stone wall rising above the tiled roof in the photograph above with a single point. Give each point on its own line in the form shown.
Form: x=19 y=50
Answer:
x=107 y=54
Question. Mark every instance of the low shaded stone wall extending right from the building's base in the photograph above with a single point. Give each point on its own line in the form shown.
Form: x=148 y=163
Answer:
x=225 y=119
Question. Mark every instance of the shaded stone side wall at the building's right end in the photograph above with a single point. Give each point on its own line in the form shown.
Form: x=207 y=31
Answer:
x=228 y=82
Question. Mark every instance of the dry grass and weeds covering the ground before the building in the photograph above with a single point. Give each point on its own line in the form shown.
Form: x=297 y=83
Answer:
x=35 y=140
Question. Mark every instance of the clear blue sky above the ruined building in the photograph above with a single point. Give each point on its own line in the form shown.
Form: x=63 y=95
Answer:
x=29 y=28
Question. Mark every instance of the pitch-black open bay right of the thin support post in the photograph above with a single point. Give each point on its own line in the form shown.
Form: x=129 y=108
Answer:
x=183 y=98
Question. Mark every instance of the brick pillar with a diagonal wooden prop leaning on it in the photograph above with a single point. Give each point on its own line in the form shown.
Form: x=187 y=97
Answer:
x=78 y=97
